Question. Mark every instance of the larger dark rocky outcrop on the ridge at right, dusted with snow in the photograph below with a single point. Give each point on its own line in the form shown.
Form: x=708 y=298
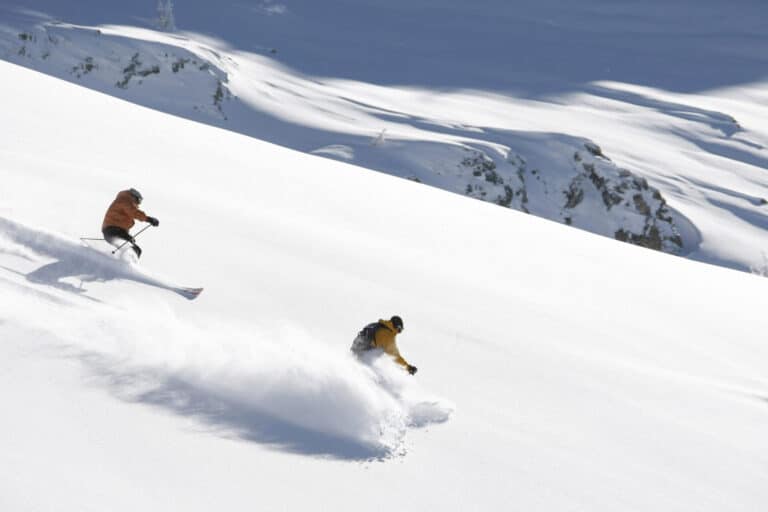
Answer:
x=590 y=192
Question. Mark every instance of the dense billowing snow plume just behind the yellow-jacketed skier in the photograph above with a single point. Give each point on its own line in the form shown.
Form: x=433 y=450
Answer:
x=281 y=388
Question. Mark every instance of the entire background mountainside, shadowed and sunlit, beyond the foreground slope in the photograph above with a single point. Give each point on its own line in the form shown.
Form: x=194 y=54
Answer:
x=514 y=113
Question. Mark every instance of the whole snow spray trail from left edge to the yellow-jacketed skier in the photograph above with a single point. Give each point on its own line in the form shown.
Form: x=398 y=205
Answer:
x=277 y=386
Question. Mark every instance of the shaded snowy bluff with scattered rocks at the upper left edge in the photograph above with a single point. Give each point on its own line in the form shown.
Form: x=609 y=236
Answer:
x=107 y=62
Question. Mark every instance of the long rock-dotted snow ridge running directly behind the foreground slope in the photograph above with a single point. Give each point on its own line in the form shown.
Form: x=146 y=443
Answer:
x=552 y=175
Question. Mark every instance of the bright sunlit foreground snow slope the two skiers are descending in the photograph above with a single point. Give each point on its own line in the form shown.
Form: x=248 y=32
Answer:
x=558 y=370
